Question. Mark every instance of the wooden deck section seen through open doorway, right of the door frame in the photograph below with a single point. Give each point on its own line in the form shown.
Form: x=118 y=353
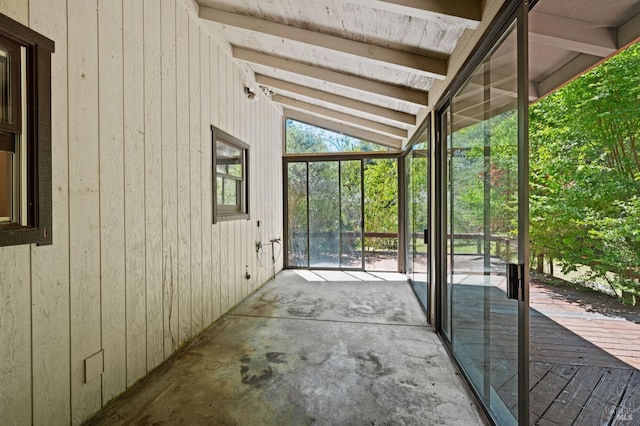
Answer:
x=585 y=358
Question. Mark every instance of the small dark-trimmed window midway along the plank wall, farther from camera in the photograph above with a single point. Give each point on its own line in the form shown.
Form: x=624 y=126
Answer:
x=230 y=177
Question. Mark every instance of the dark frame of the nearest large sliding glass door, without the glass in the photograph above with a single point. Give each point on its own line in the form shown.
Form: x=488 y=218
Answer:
x=512 y=11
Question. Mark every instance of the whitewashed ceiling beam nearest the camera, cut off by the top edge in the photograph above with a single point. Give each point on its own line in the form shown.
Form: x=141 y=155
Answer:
x=467 y=13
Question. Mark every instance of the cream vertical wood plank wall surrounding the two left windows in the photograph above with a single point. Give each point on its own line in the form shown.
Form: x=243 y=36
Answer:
x=136 y=269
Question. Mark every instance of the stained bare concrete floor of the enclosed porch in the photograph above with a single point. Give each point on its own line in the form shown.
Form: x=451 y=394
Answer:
x=298 y=353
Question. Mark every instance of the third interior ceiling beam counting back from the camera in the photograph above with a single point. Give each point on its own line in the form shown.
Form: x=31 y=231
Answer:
x=410 y=96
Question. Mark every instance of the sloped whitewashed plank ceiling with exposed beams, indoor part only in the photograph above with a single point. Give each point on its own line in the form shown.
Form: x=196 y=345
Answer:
x=361 y=67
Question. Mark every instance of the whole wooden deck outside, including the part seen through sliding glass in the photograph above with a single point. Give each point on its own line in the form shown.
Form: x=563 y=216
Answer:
x=584 y=351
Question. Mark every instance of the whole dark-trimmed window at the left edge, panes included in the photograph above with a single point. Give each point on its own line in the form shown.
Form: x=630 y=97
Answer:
x=25 y=135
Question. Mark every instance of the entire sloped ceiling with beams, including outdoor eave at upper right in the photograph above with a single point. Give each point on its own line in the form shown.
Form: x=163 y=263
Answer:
x=366 y=67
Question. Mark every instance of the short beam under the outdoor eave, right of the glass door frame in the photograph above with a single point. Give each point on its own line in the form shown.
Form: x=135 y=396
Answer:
x=571 y=34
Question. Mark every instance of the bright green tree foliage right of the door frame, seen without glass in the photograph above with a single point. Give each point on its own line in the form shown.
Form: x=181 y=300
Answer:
x=585 y=170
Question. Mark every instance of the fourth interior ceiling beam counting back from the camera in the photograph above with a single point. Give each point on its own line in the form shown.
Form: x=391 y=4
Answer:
x=331 y=98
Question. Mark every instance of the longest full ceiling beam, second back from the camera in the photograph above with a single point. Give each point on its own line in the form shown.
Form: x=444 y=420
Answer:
x=427 y=66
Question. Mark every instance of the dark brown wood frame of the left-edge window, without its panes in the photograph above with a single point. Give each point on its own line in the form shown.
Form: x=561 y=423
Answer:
x=38 y=139
